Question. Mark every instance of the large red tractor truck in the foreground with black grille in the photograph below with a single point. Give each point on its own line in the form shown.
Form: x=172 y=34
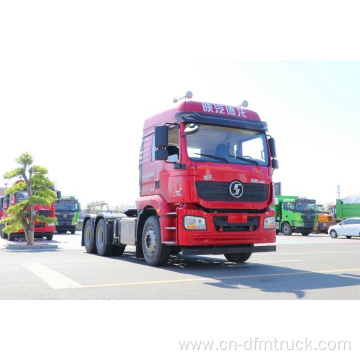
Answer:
x=205 y=188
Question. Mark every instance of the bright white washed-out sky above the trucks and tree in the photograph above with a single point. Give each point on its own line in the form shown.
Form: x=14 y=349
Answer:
x=79 y=78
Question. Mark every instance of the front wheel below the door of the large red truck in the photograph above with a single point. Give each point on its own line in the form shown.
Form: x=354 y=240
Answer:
x=155 y=253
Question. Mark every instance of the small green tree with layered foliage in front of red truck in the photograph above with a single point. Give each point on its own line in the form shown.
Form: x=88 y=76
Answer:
x=37 y=186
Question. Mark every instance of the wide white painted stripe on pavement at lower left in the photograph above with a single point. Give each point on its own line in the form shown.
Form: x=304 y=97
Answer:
x=51 y=277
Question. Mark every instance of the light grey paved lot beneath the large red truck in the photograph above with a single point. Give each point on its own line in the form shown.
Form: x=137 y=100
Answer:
x=314 y=267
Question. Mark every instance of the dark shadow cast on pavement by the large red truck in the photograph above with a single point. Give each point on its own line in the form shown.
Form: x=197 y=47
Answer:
x=220 y=273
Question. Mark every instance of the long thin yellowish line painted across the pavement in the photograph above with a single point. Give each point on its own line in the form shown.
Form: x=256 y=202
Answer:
x=155 y=282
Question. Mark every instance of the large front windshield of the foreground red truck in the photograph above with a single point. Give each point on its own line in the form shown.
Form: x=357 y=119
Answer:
x=221 y=144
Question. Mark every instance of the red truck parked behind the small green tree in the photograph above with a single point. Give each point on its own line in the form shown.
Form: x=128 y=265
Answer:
x=41 y=229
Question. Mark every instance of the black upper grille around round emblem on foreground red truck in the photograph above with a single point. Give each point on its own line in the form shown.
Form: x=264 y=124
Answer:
x=219 y=191
